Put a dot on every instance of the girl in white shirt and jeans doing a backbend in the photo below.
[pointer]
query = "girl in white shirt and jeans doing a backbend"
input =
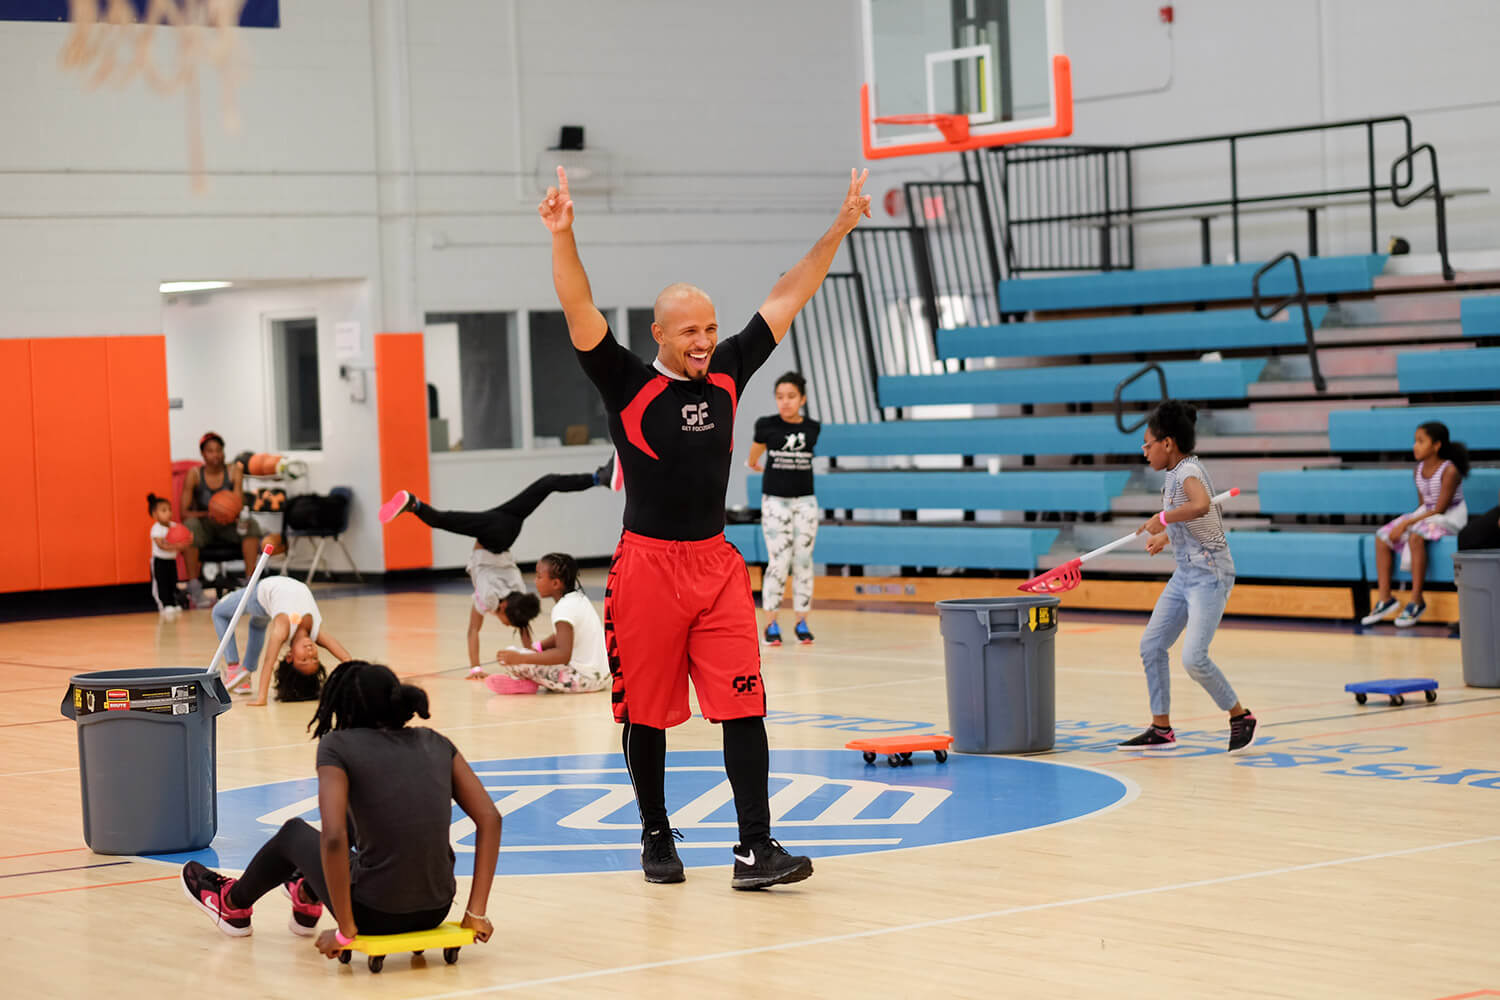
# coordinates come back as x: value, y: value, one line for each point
x: 284, y: 608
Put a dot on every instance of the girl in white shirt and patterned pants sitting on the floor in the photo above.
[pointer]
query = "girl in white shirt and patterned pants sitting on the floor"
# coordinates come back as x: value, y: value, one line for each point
x: 572, y: 659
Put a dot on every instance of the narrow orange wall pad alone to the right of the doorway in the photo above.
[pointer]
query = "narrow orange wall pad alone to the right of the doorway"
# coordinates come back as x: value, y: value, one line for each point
x: 401, y: 391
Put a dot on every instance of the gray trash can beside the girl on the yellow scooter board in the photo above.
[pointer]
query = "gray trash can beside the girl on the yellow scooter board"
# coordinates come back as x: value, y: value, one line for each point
x: 148, y: 758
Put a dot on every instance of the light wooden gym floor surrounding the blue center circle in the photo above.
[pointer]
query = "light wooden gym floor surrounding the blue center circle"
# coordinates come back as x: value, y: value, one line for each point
x: 1354, y: 854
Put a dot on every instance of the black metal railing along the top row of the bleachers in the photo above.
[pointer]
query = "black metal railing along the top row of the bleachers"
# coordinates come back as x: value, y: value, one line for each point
x: 1072, y: 208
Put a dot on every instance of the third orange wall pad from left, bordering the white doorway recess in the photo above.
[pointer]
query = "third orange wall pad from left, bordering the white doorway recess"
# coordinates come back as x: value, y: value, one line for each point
x: 140, y: 448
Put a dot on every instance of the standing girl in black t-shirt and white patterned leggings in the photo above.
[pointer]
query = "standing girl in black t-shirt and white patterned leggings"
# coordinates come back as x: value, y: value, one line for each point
x: 788, y: 506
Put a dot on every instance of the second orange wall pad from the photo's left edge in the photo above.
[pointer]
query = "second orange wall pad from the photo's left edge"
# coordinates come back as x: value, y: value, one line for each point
x: 74, y: 469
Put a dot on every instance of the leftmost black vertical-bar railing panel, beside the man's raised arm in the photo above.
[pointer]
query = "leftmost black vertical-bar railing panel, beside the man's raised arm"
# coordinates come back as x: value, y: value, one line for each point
x: 832, y: 347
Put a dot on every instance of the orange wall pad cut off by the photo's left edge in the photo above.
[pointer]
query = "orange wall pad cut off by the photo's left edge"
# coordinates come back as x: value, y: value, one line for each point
x: 22, y: 564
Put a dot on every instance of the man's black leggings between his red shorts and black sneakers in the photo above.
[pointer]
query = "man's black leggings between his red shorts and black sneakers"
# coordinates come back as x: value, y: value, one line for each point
x: 748, y: 764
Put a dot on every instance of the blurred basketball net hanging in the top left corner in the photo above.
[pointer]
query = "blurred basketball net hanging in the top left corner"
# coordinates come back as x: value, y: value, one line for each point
x: 118, y: 47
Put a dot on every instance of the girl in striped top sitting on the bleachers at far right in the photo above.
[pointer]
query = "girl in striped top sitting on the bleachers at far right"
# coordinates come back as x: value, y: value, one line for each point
x: 1441, y: 470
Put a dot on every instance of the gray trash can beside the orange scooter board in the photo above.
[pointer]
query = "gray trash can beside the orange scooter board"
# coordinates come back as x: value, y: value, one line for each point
x: 1000, y: 662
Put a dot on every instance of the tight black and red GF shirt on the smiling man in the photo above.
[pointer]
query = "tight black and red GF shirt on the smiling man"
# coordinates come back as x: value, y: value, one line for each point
x: 676, y: 436
